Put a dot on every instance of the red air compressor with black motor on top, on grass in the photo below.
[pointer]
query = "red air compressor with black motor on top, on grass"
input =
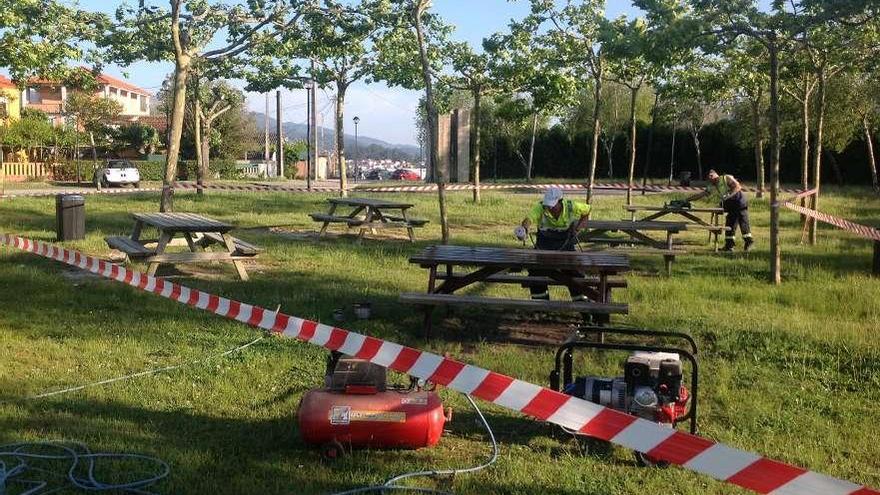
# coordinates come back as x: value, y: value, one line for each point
x: 356, y: 409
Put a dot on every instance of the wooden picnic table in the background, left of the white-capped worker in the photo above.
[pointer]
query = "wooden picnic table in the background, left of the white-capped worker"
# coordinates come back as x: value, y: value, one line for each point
x: 369, y: 214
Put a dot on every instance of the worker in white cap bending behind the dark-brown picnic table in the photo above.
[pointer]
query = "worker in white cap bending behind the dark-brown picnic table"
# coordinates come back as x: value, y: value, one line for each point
x: 558, y: 221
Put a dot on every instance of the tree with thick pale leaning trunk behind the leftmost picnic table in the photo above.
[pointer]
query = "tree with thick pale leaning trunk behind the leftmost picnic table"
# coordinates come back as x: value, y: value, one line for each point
x: 183, y: 33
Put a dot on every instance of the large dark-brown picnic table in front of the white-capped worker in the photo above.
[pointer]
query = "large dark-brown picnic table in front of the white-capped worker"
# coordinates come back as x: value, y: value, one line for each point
x: 587, y: 273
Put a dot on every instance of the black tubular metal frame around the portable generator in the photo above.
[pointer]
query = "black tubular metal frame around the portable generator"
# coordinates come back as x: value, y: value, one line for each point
x: 564, y: 361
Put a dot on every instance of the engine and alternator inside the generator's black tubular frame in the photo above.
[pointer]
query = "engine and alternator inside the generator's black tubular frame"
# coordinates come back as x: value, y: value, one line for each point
x: 650, y: 388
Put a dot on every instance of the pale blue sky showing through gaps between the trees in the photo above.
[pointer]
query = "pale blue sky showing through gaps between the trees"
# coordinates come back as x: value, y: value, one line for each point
x: 386, y: 113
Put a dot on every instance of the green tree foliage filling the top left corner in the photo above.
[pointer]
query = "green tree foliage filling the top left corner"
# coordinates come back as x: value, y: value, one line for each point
x: 41, y: 37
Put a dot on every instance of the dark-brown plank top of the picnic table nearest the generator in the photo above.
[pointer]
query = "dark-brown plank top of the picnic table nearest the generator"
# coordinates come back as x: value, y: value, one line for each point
x: 521, y: 258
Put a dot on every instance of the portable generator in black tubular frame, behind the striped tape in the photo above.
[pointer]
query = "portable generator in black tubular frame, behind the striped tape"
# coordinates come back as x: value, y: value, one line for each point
x: 652, y: 386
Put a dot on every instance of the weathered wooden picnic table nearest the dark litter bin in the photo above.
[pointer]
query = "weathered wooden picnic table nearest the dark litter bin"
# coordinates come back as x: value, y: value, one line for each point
x: 198, y: 231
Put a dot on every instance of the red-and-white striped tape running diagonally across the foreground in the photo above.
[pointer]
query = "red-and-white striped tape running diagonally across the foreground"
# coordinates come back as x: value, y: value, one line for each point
x: 719, y: 461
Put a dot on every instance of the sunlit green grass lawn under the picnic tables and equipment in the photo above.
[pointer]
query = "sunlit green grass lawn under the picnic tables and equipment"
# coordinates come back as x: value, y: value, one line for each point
x: 792, y: 372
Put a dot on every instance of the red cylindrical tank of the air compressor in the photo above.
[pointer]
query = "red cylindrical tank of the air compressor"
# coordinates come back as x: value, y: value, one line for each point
x: 390, y: 419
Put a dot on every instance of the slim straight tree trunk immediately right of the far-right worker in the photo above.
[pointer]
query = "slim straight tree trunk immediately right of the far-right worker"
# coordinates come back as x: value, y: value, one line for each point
x: 775, y: 147
